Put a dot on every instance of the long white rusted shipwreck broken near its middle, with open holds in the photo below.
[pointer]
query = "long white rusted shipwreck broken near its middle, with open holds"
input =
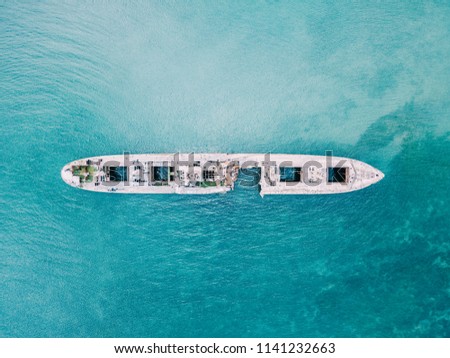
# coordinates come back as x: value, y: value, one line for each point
x: 208, y: 173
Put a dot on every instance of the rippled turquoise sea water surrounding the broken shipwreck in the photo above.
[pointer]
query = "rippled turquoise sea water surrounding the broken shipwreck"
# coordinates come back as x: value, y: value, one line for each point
x: 368, y: 81
